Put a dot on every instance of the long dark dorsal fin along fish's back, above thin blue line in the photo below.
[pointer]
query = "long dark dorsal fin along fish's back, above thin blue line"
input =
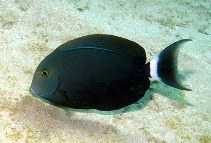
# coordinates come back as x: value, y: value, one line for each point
x: 120, y: 45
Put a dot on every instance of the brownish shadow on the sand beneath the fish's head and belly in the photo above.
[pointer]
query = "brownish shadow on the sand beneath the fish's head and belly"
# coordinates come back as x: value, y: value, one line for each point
x: 47, y: 120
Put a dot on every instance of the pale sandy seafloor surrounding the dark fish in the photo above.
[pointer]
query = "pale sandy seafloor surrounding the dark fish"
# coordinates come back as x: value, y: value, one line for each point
x: 31, y: 29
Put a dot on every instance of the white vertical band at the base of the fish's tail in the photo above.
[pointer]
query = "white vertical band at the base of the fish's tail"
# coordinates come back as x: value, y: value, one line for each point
x: 154, y: 68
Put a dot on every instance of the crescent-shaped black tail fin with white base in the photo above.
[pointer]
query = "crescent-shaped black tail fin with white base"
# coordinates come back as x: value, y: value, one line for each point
x: 164, y: 66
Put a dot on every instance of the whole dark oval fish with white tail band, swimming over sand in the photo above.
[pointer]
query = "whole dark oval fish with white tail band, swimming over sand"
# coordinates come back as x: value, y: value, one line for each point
x: 103, y: 72
